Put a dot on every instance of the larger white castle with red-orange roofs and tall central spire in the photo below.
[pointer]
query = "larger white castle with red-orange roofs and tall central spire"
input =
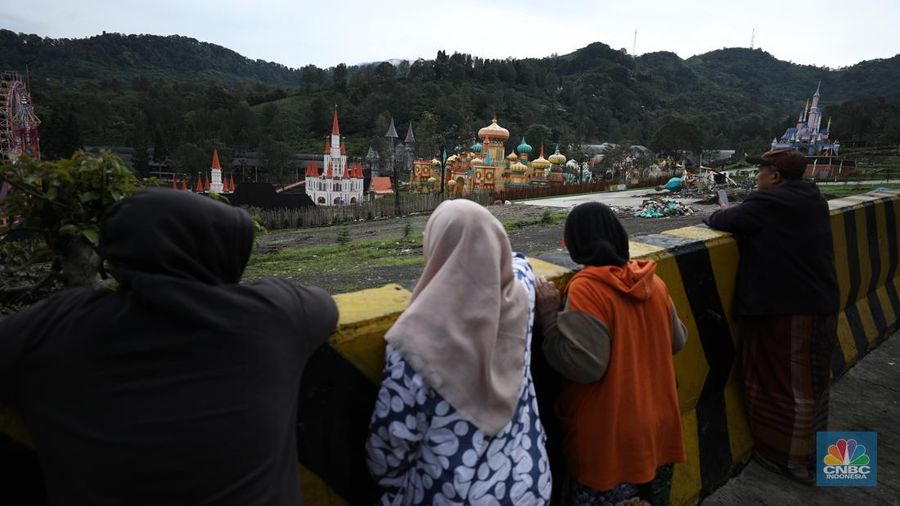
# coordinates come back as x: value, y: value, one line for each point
x: 339, y: 182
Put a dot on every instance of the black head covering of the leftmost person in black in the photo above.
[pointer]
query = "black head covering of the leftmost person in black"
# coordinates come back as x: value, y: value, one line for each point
x: 175, y: 234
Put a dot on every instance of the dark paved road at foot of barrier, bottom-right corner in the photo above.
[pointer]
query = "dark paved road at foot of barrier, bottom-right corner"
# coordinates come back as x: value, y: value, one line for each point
x: 866, y: 398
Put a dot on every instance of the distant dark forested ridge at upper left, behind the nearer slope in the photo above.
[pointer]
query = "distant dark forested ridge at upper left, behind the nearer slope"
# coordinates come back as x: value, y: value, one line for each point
x: 125, y: 57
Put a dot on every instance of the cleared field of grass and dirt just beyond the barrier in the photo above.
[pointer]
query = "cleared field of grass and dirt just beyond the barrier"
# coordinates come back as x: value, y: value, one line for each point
x: 368, y: 254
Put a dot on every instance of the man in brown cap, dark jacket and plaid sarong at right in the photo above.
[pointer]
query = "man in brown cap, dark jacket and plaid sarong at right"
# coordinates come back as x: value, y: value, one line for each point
x: 786, y: 301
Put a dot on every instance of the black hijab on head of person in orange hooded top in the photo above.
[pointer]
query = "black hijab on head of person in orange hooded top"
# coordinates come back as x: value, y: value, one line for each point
x: 595, y: 236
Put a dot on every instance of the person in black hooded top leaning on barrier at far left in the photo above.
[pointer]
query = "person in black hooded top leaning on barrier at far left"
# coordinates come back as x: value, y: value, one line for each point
x: 179, y: 387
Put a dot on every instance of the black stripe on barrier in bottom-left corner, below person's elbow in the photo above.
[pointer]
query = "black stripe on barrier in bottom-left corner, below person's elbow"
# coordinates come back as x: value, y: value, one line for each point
x: 21, y: 479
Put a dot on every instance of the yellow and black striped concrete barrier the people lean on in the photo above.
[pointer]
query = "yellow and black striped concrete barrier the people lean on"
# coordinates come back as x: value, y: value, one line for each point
x: 698, y: 265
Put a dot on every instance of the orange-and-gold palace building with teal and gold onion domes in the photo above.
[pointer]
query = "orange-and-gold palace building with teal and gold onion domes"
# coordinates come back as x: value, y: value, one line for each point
x: 486, y: 167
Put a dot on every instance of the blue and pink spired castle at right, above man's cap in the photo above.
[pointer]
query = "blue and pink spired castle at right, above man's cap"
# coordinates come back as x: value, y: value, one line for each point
x: 809, y: 138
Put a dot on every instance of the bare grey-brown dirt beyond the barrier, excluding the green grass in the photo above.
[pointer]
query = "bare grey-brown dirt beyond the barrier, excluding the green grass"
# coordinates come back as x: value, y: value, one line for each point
x: 526, y: 232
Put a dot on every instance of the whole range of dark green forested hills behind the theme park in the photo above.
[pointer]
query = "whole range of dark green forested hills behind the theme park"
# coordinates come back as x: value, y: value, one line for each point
x: 183, y: 98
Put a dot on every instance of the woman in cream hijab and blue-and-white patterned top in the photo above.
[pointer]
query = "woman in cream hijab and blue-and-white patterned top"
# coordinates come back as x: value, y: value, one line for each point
x: 456, y: 421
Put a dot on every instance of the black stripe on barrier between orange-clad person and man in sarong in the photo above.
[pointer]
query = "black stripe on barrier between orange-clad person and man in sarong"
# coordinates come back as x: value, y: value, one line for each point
x: 715, y: 337
